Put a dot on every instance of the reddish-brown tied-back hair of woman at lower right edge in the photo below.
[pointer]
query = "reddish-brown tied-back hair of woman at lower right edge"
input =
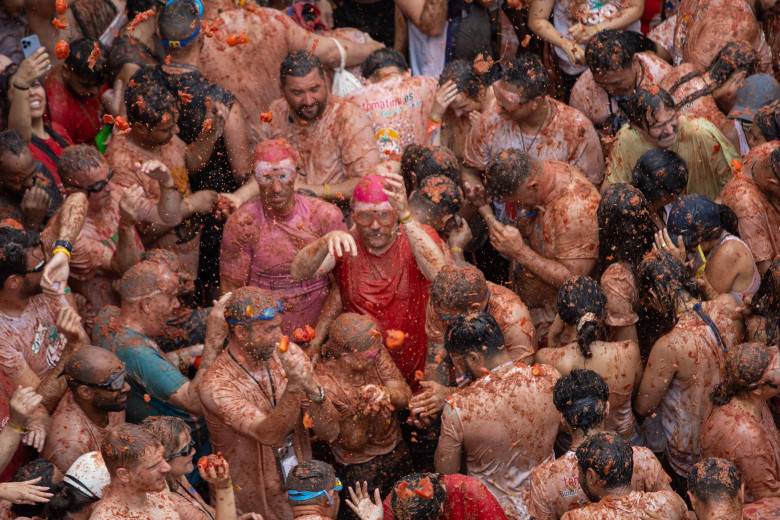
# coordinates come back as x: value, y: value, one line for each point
x: 745, y: 366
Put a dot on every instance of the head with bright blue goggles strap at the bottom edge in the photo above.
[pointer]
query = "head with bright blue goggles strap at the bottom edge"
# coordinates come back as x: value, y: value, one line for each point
x: 312, y: 489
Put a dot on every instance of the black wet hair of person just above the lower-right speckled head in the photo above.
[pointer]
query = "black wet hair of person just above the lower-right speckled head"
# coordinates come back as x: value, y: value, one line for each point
x: 581, y: 397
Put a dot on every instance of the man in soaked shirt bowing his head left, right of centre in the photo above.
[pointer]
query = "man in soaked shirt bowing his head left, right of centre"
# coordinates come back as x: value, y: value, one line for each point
x: 559, y: 243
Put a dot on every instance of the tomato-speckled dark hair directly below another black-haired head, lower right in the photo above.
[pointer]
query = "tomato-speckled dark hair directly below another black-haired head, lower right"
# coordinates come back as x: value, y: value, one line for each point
x: 610, y: 456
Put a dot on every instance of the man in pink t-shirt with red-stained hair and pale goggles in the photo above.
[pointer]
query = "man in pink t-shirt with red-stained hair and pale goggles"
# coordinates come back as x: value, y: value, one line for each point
x: 286, y: 221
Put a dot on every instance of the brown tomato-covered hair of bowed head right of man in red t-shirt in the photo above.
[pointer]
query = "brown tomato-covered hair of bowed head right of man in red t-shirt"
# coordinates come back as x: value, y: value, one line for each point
x: 458, y: 287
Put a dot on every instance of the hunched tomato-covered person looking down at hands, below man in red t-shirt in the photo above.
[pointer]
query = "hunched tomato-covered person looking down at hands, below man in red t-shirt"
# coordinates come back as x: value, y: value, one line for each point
x: 367, y: 390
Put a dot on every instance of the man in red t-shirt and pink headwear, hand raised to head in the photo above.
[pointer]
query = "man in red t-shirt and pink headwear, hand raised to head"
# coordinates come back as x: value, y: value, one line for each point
x: 383, y: 266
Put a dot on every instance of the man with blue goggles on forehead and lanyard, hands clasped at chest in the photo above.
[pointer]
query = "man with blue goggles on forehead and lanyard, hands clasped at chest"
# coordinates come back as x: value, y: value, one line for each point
x: 257, y: 398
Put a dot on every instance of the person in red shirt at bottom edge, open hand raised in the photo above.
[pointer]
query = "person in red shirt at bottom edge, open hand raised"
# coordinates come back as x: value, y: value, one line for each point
x: 430, y: 496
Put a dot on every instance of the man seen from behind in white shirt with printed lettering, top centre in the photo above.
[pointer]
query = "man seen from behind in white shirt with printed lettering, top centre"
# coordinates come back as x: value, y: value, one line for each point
x: 393, y: 99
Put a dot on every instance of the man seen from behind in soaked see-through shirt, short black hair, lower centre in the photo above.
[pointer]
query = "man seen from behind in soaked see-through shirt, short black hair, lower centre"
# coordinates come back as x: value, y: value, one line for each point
x: 507, y: 401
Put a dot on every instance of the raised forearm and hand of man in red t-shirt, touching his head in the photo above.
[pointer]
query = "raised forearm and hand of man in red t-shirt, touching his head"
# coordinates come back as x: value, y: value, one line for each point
x: 429, y: 256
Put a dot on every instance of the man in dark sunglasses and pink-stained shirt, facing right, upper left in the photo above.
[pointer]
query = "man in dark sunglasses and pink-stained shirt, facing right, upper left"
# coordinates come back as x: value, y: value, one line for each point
x: 108, y: 244
